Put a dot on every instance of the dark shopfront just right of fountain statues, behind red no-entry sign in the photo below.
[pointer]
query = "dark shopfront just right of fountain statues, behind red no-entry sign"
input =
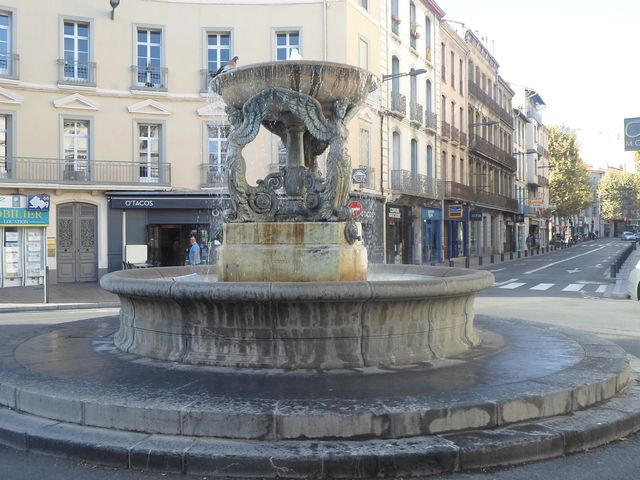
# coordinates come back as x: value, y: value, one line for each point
x: 369, y: 211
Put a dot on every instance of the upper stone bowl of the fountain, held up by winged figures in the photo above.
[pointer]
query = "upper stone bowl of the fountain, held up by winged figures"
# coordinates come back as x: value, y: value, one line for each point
x: 324, y: 81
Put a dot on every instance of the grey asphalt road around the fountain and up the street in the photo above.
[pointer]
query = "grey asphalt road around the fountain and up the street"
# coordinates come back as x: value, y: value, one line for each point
x: 617, y: 320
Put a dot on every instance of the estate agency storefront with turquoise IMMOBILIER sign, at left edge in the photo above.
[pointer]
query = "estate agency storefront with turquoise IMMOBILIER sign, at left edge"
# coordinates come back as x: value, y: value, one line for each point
x: 23, y: 223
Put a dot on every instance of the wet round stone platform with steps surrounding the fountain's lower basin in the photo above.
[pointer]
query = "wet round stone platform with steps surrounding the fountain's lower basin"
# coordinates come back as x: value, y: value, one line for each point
x: 530, y: 392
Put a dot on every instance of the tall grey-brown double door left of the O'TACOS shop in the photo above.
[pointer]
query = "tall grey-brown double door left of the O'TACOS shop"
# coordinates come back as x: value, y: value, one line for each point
x: 77, y: 252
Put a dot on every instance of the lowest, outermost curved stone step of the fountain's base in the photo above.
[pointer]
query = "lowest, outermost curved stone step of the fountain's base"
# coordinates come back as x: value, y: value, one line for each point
x: 429, y: 455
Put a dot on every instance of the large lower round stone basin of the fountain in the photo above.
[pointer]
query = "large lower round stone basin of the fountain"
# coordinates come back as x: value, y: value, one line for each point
x: 401, y: 315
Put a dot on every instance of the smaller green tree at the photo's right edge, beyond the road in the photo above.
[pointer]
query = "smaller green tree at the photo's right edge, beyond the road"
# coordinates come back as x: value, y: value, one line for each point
x: 618, y: 195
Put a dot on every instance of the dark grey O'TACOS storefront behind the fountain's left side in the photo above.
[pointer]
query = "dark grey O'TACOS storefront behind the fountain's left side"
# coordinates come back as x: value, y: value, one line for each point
x: 164, y: 222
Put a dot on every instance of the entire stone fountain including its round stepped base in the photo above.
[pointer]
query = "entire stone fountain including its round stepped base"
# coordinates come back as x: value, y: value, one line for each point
x: 293, y: 358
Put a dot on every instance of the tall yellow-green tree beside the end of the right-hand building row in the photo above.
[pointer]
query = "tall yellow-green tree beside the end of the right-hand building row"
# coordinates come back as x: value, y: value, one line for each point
x: 569, y: 186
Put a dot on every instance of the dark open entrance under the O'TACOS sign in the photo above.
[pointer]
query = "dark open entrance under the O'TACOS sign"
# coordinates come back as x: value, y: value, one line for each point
x: 169, y: 244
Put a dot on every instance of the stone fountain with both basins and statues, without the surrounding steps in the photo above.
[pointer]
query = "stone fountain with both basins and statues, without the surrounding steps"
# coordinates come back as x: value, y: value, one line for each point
x: 293, y: 289
